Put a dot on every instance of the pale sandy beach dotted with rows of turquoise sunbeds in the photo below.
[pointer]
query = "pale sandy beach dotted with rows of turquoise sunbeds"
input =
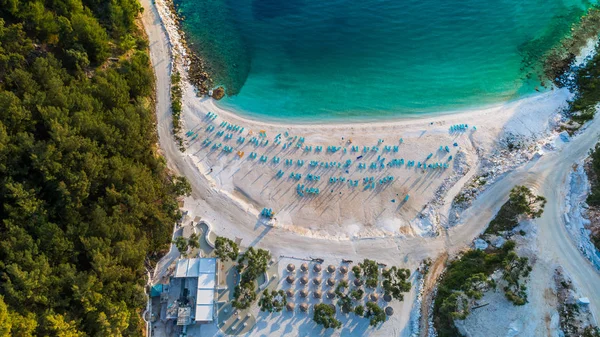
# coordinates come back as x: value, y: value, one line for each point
x: 339, y: 211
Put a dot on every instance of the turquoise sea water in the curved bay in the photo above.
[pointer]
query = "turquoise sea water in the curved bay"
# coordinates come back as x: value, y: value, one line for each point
x: 364, y: 59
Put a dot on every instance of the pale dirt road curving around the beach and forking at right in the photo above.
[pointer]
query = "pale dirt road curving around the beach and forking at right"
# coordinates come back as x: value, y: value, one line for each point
x: 547, y: 175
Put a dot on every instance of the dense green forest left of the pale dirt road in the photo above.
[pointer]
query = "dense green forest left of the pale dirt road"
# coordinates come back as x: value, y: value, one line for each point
x: 86, y: 202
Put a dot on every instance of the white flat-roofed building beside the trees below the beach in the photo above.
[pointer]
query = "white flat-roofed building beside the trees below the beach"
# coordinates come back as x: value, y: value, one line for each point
x: 202, y: 273
